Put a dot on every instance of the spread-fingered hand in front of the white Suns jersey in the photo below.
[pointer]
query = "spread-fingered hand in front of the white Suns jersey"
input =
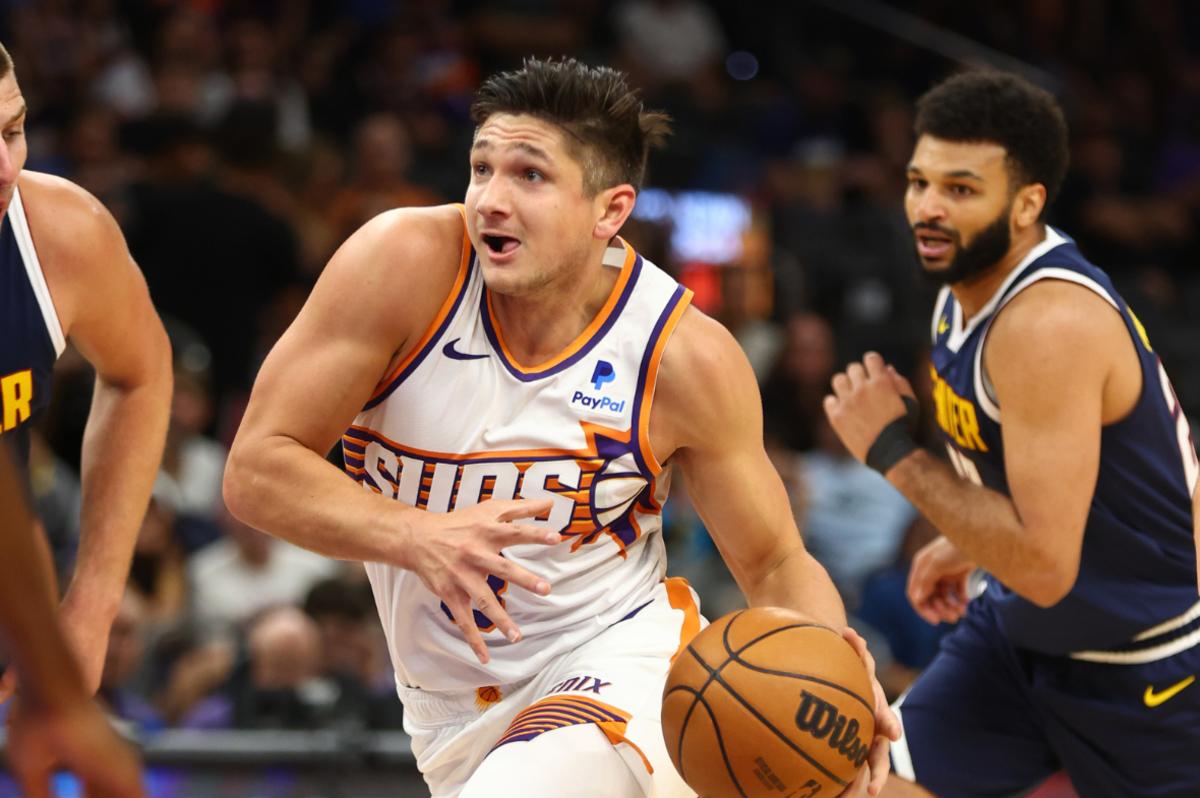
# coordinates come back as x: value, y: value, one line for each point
x: 455, y: 553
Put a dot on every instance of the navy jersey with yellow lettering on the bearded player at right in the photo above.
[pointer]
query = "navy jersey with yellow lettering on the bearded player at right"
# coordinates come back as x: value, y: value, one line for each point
x: 1137, y: 587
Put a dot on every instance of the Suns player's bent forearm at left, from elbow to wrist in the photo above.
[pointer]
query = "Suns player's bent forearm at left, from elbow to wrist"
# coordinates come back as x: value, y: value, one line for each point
x: 285, y: 489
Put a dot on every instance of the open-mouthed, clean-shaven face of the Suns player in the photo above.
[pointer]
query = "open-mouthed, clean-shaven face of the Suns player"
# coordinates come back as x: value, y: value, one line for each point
x: 527, y: 214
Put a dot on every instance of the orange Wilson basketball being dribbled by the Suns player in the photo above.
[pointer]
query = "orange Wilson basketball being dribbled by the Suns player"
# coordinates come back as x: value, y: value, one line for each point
x: 764, y: 703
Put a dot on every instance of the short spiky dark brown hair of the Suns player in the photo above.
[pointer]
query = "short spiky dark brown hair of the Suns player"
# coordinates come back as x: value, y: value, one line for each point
x: 609, y: 131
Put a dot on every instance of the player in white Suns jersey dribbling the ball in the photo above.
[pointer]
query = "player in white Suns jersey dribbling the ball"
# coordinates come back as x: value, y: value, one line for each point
x: 514, y: 387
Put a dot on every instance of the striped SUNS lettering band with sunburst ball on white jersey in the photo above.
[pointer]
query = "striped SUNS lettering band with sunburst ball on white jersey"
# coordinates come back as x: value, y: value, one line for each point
x: 596, y: 491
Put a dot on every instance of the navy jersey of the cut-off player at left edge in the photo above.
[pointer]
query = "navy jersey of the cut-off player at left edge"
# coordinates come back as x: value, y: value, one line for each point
x: 31, y: 335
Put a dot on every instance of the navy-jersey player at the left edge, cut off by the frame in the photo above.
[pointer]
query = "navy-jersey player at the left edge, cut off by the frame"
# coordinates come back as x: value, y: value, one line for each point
x: 65, y: 274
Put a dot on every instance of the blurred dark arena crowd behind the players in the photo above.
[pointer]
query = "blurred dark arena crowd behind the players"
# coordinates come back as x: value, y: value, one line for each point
x: 239, y: 143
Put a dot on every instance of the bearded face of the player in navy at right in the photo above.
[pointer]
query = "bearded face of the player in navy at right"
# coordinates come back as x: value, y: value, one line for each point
x: 959, y: 206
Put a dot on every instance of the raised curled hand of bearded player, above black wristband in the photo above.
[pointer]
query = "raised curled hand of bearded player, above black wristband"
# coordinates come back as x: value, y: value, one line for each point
x: 866, y: 399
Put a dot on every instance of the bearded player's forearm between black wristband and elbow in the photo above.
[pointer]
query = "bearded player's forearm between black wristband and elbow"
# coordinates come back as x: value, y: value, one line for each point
x: 983, y: 524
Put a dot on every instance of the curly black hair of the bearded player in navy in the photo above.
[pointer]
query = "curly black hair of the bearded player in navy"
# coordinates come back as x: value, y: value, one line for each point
x: 1006, y: 110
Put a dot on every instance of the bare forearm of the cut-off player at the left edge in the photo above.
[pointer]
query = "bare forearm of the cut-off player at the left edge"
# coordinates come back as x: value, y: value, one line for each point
x: 122, y: 452
